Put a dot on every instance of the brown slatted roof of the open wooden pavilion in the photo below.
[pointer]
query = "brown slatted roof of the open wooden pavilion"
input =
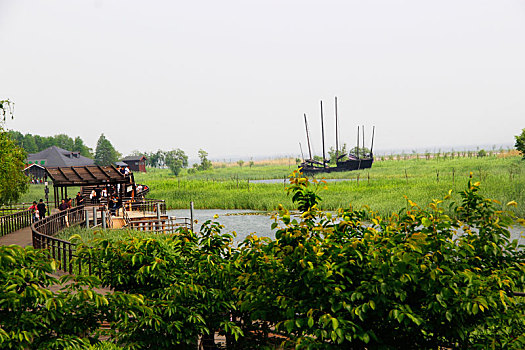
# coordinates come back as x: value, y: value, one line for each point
x: 86, y: 175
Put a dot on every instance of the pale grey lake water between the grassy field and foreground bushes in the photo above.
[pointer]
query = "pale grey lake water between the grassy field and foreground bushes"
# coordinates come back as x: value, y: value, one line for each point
x: 245, y: 222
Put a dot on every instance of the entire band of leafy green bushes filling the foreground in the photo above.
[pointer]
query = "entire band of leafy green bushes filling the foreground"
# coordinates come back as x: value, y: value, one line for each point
x: 418, y: 279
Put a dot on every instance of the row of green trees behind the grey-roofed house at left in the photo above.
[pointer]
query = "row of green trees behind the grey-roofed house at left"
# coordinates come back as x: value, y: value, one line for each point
x: 37, y: 143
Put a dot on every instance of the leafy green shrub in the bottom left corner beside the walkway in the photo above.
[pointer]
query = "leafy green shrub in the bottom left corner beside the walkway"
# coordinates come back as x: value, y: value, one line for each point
x: 32, y: 316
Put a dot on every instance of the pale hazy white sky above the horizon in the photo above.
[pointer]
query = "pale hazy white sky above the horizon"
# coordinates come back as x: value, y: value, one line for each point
x: 235, y: 77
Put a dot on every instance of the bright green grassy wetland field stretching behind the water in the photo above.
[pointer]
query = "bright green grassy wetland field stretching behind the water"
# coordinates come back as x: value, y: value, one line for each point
x: 382, y: 187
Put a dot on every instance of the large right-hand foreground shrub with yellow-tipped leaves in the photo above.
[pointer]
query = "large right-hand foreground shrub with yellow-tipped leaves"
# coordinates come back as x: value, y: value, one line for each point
x: 418, y: 279
